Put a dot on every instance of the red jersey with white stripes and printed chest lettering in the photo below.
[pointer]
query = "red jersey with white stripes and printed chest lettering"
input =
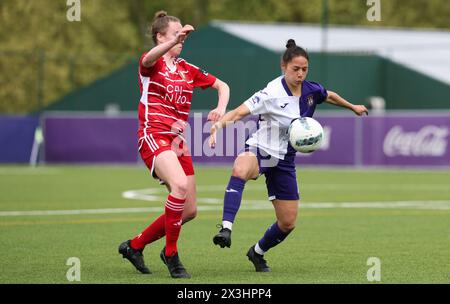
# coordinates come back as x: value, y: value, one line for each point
x: 166, y: 95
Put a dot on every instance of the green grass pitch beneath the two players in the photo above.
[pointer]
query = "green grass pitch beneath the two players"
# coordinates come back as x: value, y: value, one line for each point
x: 345, y: 217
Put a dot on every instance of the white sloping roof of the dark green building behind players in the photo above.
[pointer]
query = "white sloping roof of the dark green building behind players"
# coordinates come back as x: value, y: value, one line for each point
x: 426, y: 51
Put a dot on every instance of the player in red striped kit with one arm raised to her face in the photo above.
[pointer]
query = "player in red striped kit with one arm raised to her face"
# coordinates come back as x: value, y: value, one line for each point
x: 167, y: 83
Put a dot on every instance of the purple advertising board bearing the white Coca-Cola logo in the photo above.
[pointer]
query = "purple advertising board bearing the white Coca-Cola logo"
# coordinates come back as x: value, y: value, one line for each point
x: 406, y: 141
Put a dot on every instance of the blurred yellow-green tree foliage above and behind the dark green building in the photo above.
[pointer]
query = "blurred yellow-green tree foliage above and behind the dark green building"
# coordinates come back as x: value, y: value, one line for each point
x: 44, y: 56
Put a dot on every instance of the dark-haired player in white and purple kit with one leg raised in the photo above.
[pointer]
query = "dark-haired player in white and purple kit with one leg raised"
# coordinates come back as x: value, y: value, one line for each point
x: 268, y: 150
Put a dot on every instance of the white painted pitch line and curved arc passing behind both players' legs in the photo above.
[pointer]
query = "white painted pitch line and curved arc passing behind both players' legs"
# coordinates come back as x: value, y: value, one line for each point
x: 216, y: 204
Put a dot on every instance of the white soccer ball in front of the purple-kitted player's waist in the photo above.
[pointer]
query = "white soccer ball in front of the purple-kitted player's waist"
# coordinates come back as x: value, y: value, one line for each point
x: 305, y: 134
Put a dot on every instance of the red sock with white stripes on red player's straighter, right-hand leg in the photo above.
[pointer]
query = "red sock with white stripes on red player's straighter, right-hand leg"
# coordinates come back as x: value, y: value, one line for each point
x: 174, y: 211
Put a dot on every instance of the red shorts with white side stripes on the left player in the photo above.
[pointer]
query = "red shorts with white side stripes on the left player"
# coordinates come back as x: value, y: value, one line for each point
x: 152, y: 145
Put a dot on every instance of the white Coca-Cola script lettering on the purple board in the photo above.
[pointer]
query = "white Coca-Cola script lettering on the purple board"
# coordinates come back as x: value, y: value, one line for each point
x: 430, y: 140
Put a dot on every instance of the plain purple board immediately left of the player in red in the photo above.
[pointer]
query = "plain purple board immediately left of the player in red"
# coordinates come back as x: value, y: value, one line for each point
x: 90, y: 139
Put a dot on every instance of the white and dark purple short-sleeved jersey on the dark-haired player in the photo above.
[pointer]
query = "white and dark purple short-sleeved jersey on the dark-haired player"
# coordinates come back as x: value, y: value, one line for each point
x: 277, y: 107
